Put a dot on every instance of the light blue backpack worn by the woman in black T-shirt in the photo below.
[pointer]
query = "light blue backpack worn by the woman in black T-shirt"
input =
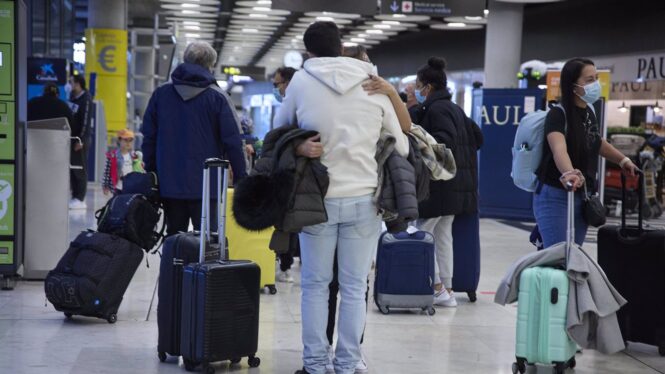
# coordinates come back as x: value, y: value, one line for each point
x: 528, y: 148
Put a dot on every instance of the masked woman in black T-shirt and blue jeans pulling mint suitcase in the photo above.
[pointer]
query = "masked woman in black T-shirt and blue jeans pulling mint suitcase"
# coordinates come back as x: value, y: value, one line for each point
x: 570, y: 154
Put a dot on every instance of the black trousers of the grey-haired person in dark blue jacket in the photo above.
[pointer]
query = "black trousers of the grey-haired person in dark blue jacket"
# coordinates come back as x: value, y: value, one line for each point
x: 179, y: 212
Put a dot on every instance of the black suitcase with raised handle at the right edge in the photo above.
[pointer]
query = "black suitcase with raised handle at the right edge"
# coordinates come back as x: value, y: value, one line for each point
x: 633, y: 257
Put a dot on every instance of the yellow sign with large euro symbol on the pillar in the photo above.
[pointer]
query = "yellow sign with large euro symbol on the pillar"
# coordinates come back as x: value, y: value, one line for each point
x: 106, y: 56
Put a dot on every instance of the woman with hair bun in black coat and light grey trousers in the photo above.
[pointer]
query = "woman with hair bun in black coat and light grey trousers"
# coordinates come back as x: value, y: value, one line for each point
x: 448, y: 124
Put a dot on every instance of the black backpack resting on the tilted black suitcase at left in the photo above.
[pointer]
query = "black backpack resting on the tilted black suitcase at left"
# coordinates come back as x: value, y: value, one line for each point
x: 132, y: 217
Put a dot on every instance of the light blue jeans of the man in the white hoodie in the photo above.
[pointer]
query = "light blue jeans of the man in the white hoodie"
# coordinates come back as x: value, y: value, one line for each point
x: 353, y: 228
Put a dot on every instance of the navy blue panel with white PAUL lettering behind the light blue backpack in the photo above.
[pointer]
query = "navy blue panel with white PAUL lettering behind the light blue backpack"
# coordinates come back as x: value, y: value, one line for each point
x: 498, y: 112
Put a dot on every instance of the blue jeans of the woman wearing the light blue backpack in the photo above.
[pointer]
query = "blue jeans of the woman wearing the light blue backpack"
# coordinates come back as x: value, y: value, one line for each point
x: 550, y: 207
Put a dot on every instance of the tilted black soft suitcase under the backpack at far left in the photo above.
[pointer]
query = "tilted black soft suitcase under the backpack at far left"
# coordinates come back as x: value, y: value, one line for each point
x: 93, y: 275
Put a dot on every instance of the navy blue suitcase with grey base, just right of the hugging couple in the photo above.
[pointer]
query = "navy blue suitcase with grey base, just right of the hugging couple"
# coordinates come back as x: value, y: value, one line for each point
x: 405, y: 272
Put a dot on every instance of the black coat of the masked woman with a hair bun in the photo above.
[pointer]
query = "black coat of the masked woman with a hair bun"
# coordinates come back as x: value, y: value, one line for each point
x: 448, y: 124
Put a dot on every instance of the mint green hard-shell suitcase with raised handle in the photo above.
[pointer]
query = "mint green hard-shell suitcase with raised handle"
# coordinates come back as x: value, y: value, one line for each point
x: 542, y: 312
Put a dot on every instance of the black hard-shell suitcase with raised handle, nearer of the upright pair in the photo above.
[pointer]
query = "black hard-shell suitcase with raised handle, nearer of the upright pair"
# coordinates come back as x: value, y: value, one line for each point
x: 220, y: 300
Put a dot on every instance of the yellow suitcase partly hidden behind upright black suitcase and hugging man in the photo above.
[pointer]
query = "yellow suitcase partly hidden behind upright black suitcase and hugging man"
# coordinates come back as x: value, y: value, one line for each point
x: 251, y: 245
